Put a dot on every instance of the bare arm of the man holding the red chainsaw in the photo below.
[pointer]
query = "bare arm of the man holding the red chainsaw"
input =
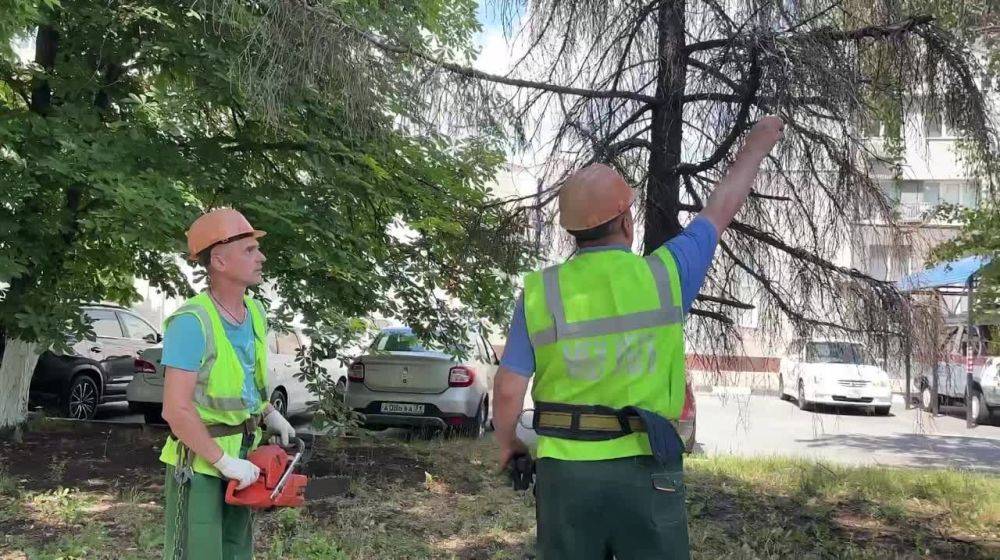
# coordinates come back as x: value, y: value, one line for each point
x: 181, y: 415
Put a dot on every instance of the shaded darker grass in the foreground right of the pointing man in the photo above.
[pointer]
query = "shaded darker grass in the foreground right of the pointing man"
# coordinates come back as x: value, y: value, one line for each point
x: 729, y: 514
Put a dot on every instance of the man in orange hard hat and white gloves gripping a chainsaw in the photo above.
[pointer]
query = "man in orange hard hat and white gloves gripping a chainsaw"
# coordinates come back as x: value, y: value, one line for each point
x: 215, y: 393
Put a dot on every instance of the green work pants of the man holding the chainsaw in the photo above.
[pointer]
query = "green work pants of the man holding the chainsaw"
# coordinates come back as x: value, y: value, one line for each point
x: 210, y: 529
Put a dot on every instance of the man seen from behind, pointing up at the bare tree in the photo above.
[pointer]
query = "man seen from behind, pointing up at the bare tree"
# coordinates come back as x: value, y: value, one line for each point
x: 602, y: 336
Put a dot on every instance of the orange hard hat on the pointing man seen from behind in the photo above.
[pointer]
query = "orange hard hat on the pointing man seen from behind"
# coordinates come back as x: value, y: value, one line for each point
x: 593, y: 196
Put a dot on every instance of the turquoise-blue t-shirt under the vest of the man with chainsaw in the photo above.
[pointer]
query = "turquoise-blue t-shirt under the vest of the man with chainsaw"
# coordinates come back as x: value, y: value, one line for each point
x: 184, y: 346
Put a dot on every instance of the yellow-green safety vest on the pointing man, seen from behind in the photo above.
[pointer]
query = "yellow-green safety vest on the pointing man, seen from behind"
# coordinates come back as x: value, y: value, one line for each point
x: 607, y: 329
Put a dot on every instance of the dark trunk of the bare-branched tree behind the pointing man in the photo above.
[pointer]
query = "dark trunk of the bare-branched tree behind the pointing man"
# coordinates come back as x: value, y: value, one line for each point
x: 663, y: 186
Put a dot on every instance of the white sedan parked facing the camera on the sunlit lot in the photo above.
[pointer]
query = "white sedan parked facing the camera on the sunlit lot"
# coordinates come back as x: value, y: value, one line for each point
x: 833, y: 372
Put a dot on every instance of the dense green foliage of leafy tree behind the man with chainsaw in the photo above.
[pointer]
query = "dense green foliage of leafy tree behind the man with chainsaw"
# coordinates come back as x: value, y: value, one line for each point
x: 129, y: 122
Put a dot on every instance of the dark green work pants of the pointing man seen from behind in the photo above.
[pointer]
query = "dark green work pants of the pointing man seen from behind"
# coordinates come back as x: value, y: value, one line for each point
x: 626, y: 509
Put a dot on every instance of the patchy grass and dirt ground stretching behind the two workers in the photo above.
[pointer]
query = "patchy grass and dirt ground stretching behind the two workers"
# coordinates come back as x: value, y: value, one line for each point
x: 444, y: 499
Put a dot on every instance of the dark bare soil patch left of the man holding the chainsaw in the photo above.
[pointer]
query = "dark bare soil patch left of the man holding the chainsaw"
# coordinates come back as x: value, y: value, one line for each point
x: 90, y: 456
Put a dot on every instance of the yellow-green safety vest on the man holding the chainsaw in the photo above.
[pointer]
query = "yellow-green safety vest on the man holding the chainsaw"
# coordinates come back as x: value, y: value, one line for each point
x: 218, y: 394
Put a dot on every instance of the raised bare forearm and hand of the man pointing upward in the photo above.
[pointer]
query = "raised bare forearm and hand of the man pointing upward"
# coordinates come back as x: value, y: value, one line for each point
x: 732, y: 191
